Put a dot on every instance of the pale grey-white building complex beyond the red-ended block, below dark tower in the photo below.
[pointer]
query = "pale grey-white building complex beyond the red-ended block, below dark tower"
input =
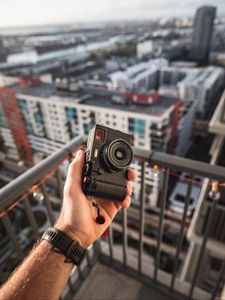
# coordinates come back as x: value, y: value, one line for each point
x: 201, y: 85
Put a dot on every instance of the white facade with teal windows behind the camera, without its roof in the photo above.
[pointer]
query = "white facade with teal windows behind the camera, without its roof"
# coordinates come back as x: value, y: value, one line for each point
x: 53, y: 121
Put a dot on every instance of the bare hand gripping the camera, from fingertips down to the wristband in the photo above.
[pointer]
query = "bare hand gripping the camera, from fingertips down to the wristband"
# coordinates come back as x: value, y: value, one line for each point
x: 77, y: 218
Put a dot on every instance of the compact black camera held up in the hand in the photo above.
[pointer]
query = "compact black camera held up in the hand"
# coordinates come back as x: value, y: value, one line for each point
x: 108, y: 156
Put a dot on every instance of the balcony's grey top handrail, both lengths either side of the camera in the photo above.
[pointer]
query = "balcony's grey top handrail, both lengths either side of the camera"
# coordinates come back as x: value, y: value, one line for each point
x: 22, y: 183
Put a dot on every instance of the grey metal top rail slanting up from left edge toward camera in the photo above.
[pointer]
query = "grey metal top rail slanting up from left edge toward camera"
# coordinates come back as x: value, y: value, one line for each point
x: 21, y: 184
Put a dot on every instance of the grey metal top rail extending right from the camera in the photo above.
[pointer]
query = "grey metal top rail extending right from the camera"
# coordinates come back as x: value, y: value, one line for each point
x: 182, y: 164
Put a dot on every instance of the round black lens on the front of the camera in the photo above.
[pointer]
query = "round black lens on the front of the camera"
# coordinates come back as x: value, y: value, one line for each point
x: 117, y: 155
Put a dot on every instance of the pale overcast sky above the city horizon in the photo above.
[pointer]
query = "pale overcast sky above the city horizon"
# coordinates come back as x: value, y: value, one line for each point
x: 41, y: 12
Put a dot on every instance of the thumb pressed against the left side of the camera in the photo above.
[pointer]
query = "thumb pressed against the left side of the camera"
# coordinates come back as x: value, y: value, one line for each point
x: 76, y: 168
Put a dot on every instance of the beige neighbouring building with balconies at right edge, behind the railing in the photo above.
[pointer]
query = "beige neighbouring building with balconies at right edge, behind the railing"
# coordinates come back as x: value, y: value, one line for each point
x: 214, y: 256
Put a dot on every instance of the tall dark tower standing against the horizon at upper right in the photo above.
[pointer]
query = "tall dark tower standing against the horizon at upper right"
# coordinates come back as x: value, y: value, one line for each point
x: 202, y: 32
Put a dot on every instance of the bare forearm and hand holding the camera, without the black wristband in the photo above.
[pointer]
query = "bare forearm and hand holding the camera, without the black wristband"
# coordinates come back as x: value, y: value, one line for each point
x: 44, y: 273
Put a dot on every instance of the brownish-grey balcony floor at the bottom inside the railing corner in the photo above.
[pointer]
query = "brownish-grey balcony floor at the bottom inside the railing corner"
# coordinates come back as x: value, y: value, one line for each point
x: 106, y: 283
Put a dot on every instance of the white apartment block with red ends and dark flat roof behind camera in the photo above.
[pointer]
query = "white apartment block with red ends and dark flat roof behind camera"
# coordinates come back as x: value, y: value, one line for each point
x: 51, y: 120
